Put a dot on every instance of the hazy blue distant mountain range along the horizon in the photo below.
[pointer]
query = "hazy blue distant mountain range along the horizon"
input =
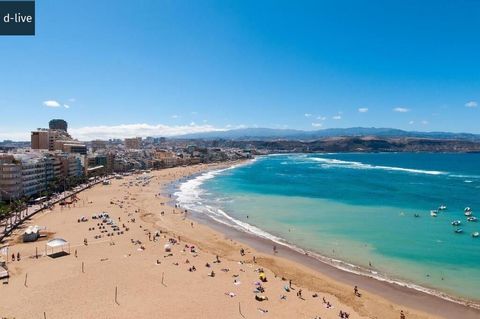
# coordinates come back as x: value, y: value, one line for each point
x: 288, y: 134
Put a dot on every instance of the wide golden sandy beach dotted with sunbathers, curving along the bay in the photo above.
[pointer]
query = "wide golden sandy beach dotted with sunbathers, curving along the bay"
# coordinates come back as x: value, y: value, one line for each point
x: 201, y: 273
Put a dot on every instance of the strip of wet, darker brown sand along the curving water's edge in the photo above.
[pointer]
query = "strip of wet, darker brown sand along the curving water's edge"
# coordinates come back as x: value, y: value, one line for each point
x: 412, y: 295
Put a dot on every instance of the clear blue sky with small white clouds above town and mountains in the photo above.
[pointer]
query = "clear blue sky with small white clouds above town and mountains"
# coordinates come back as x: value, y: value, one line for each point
x: 159, y: 67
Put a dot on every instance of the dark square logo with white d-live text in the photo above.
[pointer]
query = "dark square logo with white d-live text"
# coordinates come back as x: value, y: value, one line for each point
x: 17, y: 17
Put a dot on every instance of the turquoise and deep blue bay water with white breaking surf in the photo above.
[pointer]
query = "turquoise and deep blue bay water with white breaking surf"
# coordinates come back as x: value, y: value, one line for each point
x: 358, y: 208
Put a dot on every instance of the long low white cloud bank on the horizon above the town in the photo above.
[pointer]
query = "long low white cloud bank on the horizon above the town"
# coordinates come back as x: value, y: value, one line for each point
x: 143, y: 130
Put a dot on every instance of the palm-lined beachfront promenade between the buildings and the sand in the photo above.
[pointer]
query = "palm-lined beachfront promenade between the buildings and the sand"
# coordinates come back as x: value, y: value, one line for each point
x: 9, y: 224
